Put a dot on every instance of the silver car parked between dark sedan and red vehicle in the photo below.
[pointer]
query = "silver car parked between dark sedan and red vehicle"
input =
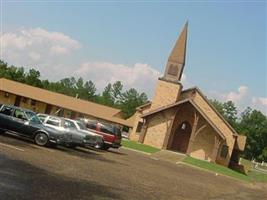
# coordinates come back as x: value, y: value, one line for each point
x: 76, y: 133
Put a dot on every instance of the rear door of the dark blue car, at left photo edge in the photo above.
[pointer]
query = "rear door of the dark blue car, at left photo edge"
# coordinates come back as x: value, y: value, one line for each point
x: 6, y: 119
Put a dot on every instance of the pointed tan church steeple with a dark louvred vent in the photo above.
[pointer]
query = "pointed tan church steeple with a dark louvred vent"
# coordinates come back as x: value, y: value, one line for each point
x: 176, y: 61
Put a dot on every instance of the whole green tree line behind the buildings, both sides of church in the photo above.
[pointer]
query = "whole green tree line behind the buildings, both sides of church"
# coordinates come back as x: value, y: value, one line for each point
x: 251, y: 123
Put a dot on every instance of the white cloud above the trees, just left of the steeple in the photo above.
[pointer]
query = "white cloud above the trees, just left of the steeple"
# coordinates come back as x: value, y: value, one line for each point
x: 140, y: 76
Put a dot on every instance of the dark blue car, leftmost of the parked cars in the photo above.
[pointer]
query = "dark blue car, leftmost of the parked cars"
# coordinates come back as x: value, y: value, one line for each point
x: 25, y: 123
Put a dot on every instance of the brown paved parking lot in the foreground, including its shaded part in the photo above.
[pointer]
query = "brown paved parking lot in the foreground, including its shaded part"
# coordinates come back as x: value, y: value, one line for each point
x: 31, y: 172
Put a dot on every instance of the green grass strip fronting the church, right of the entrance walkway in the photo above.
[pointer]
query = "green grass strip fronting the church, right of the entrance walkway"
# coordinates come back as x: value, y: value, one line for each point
x: 217, y: 168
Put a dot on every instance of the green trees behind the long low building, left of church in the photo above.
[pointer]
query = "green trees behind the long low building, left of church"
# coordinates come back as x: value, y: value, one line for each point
x: 113, y: 95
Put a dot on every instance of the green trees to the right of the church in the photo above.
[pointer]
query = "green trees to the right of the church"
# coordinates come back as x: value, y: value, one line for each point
x: 251, y: 123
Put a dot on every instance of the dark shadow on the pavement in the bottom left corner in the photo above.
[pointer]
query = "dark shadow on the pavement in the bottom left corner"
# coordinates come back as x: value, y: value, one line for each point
x: 20, y: 180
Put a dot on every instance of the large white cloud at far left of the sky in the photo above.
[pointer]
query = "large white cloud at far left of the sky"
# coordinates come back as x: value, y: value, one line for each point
x: 27, y: 46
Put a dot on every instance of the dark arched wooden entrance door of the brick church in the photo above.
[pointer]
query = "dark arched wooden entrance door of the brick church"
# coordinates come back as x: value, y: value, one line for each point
x: 181, y: 137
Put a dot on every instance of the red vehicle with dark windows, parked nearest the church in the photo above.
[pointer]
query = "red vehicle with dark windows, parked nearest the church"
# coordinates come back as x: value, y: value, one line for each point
x: 111, y: 133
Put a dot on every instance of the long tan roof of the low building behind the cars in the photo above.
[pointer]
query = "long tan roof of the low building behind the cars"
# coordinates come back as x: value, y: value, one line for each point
x: 63, y: 101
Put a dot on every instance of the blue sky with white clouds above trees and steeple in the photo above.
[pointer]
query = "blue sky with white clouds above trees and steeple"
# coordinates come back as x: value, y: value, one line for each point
x: 130, y: 41
